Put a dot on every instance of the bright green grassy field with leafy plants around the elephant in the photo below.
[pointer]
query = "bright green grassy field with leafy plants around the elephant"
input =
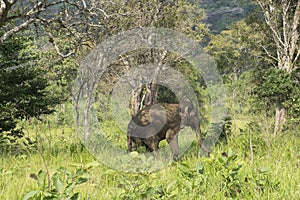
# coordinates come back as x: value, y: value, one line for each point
x: 57, y: 166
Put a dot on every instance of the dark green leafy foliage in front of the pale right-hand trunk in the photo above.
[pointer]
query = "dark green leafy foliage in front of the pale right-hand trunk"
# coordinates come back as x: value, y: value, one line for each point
x: 275, y: 86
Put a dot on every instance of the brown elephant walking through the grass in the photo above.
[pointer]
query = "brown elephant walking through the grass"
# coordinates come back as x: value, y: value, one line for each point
x: 155, y: 123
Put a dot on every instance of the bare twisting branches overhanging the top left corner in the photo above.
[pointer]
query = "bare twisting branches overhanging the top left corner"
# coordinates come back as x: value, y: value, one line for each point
x: 77, y: 19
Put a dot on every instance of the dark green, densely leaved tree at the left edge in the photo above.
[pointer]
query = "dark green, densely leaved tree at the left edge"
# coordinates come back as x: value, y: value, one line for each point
x: 22, y: 88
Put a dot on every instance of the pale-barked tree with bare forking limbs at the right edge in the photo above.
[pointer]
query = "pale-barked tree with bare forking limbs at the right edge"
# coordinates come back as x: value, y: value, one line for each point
x: 283, y: 20
